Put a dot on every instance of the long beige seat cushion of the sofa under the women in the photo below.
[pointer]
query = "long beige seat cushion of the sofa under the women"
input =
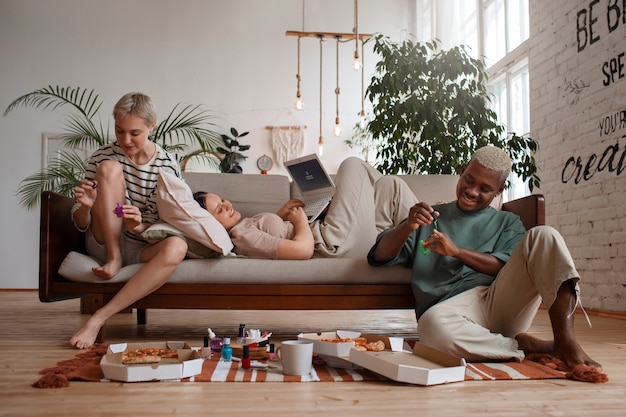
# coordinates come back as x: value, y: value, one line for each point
x: 235, y: 270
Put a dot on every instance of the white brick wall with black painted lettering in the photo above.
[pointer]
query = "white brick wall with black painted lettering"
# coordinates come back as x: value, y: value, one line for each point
x: 591, y: 214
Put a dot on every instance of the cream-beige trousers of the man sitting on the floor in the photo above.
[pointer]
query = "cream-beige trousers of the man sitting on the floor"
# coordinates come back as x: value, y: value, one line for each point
x: 481, y: 324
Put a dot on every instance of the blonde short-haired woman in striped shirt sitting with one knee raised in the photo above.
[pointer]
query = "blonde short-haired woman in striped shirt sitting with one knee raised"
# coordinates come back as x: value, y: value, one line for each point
x: 115, y: 203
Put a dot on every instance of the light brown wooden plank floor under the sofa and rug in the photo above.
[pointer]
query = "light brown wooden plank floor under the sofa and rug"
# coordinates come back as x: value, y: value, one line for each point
x: 34, y: 335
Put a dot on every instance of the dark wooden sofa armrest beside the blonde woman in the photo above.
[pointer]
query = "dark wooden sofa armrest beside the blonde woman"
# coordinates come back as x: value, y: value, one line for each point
x: 57, y: 237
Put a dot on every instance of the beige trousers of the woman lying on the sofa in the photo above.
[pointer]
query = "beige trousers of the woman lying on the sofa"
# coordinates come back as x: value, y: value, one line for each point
x: 366, y: 203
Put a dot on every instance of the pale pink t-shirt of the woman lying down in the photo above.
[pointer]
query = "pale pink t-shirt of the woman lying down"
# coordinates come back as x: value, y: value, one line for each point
x: 258, y: 236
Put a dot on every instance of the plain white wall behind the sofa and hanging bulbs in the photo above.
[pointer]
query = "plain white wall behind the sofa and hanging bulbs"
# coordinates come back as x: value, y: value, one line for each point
x: 232, y: 56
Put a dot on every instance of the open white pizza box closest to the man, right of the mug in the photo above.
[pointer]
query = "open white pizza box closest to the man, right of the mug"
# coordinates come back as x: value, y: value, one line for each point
x: 421, y: 366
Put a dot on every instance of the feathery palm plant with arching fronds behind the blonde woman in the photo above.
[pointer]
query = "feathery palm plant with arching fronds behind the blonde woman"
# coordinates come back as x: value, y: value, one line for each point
x: 185, y: 126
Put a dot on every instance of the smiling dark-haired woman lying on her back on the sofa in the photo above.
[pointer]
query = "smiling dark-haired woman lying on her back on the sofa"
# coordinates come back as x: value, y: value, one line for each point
x: 365, y: 203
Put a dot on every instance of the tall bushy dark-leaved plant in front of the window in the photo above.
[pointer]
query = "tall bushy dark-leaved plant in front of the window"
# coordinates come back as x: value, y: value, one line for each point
x: 431, y: 112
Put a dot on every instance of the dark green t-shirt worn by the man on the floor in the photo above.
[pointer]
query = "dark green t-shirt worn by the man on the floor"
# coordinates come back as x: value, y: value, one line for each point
x: 436, y: 277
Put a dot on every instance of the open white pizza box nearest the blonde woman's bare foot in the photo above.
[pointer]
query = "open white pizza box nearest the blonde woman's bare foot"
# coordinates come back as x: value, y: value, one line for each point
x: 188, y: 363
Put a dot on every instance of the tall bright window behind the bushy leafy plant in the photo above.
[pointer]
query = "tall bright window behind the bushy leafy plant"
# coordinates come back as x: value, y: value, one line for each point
x: 498, y: 31
